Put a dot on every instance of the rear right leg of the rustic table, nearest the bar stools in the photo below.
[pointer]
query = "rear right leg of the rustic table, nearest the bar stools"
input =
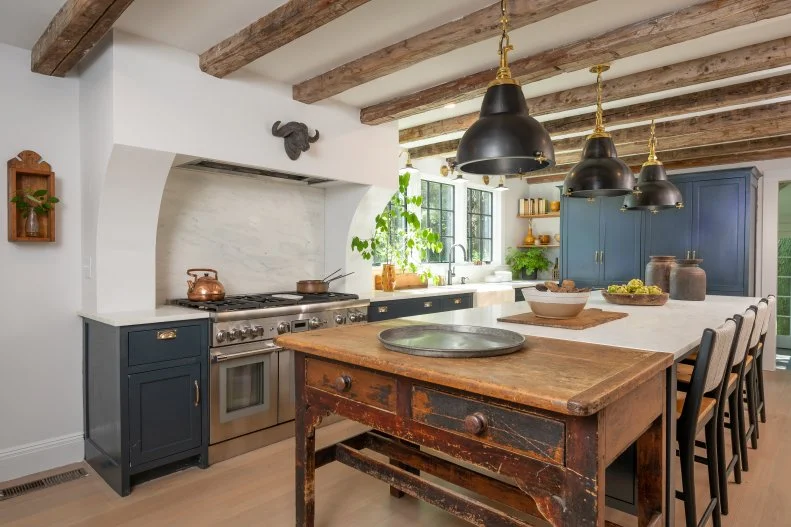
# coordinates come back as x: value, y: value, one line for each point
x: 650, y: 463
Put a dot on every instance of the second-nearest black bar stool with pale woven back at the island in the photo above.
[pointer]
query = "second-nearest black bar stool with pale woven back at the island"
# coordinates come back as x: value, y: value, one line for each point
x: 727, y: 392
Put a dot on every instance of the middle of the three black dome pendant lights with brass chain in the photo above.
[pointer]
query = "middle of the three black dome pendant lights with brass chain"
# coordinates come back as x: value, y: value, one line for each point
x: 600, y: 172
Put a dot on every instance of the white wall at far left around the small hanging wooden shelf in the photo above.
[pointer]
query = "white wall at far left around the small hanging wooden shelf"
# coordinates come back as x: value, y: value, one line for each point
x: 40, y: 345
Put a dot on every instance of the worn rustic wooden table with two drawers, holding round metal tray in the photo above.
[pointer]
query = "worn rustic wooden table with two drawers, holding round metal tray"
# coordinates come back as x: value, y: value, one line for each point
x: 542, y: 424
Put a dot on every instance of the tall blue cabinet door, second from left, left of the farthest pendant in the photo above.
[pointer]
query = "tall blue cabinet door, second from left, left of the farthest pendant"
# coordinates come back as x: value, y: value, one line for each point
x: 620, y: 256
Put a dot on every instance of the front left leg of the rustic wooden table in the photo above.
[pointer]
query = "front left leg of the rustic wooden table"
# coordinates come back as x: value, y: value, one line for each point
x: 305, y: 449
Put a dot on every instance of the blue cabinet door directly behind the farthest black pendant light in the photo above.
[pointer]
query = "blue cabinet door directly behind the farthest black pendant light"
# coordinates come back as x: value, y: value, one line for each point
x: 669, y: 231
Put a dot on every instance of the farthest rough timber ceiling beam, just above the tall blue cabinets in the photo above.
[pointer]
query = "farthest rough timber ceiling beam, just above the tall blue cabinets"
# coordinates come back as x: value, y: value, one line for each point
x: 739, y: 150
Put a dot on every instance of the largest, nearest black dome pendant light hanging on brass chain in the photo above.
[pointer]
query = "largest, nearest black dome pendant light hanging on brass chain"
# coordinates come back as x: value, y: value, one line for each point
x: 505, y: 140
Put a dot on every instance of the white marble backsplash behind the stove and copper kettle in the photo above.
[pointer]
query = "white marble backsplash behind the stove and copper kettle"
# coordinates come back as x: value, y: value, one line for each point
x: 260, y: 235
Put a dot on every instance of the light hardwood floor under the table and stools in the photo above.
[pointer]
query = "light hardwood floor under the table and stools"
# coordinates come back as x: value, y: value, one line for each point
x: 257, y: 489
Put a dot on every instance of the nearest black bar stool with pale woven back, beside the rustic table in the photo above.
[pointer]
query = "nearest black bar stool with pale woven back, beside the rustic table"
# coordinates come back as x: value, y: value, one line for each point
x: 697, y: 412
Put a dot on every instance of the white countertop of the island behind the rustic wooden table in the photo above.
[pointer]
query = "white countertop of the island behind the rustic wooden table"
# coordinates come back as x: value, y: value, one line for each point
x: 673, y: 328
